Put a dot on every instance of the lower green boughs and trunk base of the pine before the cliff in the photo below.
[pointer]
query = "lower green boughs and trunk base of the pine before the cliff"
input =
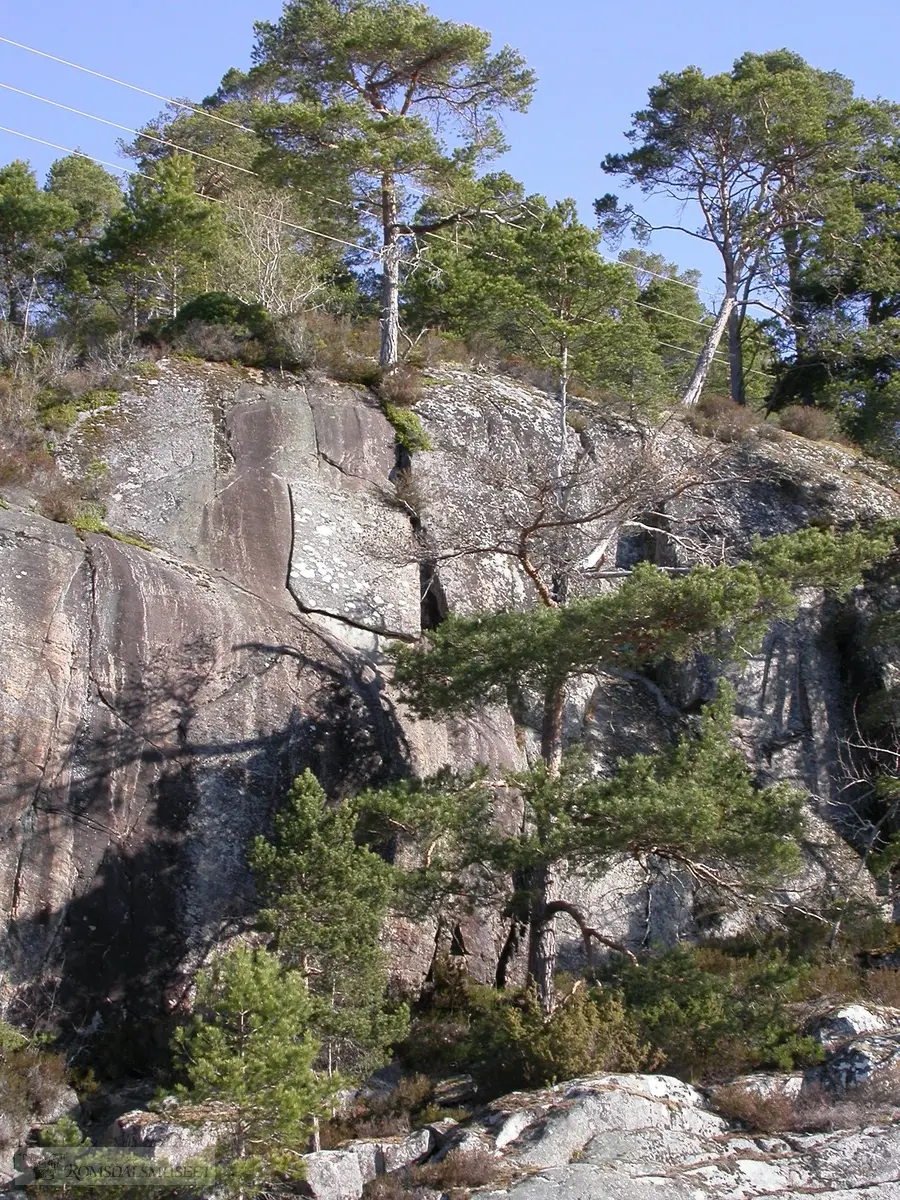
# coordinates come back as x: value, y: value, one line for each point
x: 693, y: 806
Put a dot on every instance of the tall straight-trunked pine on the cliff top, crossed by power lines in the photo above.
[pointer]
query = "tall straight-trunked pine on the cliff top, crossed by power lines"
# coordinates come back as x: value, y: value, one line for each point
x: 388, y: 98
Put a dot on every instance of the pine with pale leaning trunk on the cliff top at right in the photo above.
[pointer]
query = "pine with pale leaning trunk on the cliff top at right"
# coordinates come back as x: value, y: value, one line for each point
x: 760, y: 151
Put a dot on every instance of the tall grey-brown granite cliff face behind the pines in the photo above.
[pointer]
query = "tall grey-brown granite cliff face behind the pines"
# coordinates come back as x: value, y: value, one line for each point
x: 157, y: 703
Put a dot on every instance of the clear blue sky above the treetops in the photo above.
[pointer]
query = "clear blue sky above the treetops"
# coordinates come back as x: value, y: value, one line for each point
x: 595, y: 61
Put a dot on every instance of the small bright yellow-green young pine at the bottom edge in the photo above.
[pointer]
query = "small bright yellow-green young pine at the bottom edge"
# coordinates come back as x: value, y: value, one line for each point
x: 249, y: 1052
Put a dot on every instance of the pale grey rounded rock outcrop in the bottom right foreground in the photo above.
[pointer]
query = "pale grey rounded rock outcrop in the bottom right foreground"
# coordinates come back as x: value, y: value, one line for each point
x: 653, y: 1138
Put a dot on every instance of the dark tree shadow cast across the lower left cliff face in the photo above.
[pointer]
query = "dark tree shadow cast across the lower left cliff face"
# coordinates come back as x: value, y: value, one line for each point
x: 154, y: 813
